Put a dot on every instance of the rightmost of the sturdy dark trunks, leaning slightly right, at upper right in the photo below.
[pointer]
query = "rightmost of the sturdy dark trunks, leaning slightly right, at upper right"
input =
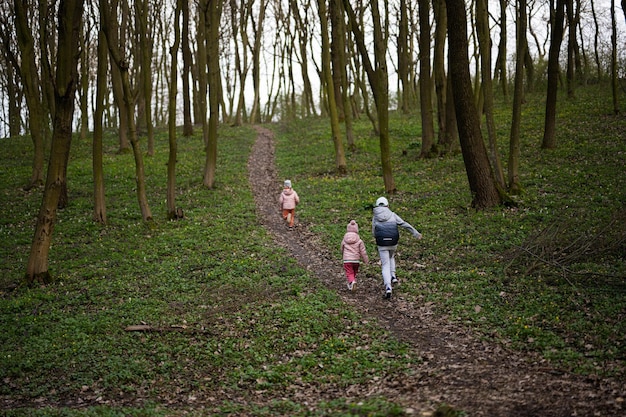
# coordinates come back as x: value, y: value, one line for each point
x: 549, y: 129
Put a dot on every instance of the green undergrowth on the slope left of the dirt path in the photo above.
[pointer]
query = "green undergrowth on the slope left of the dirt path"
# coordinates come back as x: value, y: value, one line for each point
x: 226, y: 313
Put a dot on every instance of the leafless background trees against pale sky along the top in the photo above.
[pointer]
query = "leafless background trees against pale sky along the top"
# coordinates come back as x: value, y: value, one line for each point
x: 270, y: 59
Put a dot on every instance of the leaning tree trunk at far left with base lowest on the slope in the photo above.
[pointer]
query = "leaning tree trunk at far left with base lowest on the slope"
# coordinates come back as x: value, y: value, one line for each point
x: 66, y: 80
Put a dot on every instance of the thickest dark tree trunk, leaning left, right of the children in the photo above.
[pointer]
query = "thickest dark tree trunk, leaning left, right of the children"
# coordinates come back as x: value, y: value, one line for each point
x: 480, y: 176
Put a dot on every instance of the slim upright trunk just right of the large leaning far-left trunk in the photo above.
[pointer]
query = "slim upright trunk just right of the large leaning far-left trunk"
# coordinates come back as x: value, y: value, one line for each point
x: 99, y: 208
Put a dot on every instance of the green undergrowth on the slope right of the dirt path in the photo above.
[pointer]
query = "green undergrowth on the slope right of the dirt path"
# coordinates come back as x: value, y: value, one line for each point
x: 547, y: 274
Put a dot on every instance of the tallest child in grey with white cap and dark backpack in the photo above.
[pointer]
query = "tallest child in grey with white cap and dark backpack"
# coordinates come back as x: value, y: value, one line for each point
x: 385, y: 229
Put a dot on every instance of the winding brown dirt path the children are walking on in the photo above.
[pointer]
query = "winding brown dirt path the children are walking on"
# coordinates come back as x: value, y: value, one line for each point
x: 481, y: 378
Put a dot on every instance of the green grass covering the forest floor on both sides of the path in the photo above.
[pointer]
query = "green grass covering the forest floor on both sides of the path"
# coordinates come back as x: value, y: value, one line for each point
x: 241, y: 319
